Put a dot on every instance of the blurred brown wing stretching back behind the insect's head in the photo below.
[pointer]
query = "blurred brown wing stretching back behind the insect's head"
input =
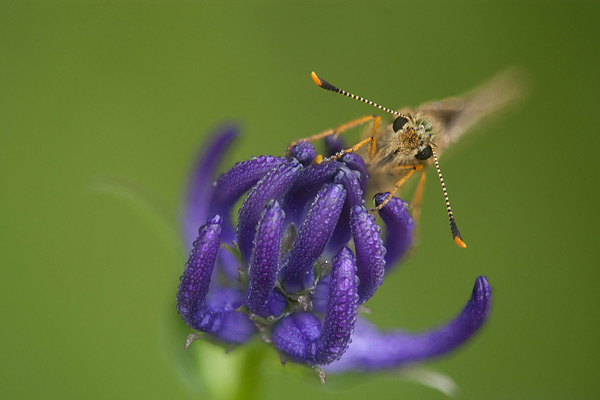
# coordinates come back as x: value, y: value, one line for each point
x: 453, y: 116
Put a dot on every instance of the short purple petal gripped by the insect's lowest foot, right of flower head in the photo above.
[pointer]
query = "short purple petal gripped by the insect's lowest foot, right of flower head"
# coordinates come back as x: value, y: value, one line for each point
x: 400, y: 228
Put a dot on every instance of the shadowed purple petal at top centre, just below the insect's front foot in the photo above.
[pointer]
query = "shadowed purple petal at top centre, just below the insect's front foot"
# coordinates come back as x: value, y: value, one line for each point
x: 305, y: 187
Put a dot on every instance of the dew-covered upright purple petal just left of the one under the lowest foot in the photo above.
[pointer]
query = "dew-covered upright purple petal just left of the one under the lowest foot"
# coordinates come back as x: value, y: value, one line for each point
x: 370, y: 253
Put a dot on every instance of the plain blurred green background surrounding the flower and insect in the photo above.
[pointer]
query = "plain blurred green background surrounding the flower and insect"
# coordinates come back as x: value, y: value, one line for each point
x: 101, y: 92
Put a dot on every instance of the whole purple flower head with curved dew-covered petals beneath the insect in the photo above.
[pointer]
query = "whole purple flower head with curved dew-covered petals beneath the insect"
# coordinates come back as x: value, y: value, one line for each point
x: 304, y: 255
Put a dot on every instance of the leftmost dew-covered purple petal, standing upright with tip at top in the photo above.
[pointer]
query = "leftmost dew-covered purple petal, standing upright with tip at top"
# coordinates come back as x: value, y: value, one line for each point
x: 195, y: 281
